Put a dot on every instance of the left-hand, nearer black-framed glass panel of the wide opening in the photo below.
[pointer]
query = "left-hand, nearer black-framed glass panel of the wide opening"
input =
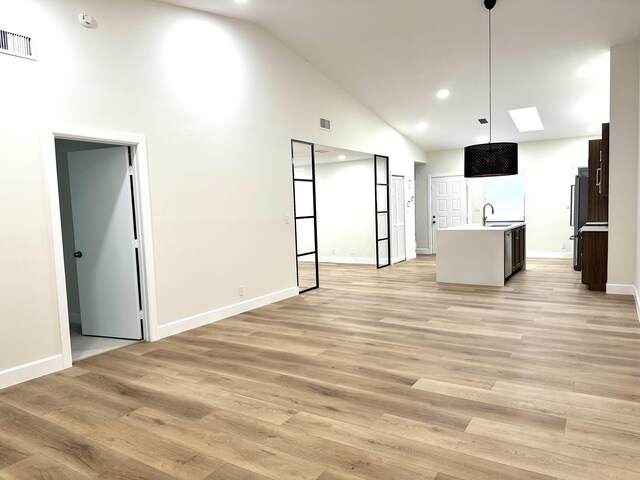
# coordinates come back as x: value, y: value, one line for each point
x: 304, y: 207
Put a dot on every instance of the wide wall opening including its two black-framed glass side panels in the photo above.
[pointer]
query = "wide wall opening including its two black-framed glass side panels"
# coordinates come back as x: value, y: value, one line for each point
x: 342, y: 209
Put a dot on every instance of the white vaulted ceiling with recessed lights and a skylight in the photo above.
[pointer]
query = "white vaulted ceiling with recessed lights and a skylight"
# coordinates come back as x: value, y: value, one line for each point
x: 394, y: 55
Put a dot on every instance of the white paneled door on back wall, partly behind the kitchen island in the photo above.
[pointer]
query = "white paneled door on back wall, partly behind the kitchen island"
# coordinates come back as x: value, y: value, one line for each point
x: 448, y: 204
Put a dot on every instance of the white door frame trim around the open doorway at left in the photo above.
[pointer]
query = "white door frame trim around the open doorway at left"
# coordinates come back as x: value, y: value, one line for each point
x: 142, y: 205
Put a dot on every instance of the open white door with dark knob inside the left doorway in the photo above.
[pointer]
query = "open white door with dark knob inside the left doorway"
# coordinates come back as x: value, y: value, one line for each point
x: 102, y: 210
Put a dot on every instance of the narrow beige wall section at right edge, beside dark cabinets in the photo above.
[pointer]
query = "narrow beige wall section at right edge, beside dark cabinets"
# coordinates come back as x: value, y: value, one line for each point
x: 623, y: 167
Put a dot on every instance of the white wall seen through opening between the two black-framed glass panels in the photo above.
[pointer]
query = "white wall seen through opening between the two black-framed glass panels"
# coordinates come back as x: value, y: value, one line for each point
x: 346, y: 212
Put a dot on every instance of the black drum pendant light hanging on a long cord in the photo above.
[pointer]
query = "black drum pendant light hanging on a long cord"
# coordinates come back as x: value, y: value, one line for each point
x: 490, y: 159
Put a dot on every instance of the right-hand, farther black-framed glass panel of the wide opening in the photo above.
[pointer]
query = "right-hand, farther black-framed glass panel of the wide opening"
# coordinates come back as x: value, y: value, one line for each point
x: 383, y: 227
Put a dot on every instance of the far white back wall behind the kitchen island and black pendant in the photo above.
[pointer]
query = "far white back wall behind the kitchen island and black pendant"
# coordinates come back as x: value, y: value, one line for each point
x: 549, y: 169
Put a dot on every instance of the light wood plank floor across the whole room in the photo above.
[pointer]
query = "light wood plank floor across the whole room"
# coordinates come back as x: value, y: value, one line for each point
x: 382, y: 375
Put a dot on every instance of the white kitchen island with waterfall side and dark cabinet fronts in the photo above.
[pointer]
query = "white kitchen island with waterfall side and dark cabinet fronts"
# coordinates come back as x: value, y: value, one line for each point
x: 479, y: 255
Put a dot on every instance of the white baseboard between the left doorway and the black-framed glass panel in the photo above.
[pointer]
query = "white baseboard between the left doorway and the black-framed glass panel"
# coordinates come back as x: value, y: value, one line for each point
x: 212, y: 316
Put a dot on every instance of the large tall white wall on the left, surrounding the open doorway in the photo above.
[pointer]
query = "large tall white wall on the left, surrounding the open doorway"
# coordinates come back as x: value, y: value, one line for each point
x: 218, y: 101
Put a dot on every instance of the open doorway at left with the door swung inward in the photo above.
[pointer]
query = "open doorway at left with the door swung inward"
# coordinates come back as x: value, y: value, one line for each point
x: 100, y: 240
